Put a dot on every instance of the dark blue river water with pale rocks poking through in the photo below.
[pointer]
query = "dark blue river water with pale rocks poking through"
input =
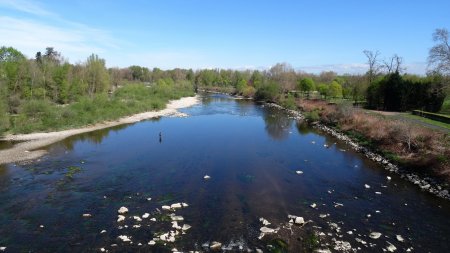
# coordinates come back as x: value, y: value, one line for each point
x: 252, y: 154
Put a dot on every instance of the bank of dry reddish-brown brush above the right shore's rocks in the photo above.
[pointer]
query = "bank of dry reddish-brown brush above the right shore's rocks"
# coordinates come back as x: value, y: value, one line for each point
x: 412, y: 146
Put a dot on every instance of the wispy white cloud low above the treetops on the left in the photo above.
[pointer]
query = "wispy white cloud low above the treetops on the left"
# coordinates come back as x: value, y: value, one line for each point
x: 44, y: 28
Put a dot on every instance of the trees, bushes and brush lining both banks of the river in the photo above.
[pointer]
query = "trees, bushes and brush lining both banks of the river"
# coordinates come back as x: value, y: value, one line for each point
x: 48, y: 93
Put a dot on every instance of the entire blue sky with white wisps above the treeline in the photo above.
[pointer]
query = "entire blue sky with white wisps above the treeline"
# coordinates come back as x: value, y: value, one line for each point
x: 312, y: 36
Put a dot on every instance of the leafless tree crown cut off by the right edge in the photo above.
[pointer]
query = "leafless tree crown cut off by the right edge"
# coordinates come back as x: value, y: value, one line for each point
x: 439, y: 55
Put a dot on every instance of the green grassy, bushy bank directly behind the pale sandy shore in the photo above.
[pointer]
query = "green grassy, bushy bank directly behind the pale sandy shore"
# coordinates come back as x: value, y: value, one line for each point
x: 44, y: 115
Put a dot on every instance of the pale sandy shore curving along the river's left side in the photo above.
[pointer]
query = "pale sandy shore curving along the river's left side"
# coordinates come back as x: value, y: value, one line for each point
x: 29, y: 148
